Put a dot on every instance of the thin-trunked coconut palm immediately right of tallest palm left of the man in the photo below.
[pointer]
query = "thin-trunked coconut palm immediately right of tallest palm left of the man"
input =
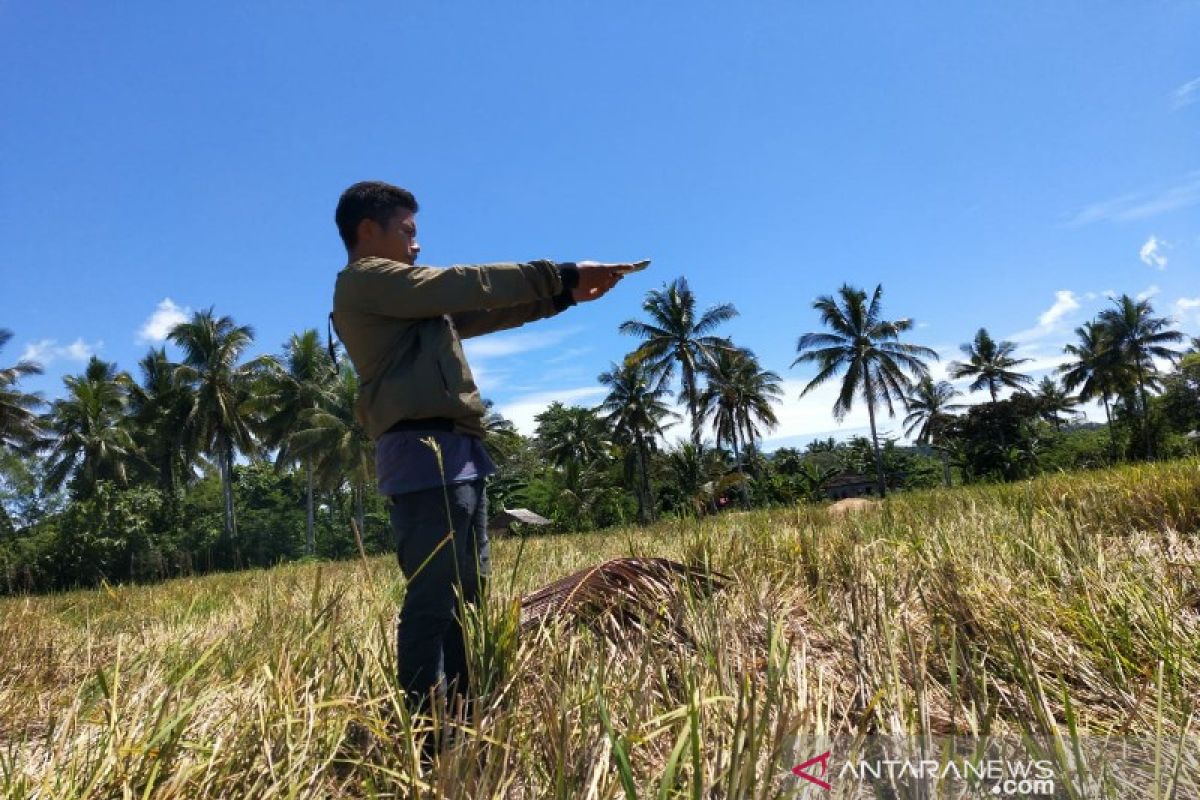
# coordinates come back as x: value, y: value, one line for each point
x: 289, y: 389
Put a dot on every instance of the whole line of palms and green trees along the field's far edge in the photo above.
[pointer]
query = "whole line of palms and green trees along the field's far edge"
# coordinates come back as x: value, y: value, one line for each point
x: 219, y: 461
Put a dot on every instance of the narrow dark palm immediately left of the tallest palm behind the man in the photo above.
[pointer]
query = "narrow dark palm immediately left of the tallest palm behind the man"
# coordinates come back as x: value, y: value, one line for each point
x: 159, y: 408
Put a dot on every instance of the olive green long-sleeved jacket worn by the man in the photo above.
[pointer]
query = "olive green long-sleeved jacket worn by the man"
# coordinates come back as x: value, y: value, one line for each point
x: 403, y: 328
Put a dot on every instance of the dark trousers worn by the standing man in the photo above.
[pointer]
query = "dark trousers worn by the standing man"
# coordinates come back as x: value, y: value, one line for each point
x: 440, y: 549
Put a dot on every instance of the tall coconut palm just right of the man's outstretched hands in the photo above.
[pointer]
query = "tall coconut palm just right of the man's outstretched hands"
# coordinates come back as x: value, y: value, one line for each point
x: 675, y: 338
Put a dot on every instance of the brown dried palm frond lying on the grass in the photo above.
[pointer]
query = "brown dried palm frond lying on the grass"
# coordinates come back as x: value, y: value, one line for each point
x: 622, y: 596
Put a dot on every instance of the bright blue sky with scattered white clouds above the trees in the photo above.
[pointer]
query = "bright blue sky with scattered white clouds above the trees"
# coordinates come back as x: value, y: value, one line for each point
x: 997, y: 165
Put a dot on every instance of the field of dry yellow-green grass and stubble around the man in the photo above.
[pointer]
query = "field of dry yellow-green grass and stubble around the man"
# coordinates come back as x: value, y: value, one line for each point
x: 1065, y: 607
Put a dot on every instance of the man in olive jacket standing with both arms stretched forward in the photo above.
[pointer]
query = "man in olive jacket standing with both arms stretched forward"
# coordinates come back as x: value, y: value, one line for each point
x: 403, y: 328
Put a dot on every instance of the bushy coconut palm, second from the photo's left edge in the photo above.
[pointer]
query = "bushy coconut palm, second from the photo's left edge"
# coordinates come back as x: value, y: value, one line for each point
x: 93, y: 441
